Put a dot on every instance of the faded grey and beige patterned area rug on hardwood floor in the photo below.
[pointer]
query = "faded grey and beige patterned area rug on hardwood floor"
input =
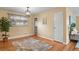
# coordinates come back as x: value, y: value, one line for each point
x: 31, y: 45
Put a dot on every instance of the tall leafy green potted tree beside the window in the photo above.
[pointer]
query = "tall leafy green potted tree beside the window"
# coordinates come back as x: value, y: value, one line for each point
x: 4, y: 27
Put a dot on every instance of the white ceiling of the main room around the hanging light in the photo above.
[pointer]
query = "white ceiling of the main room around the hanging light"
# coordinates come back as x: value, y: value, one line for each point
x: 22, y: 9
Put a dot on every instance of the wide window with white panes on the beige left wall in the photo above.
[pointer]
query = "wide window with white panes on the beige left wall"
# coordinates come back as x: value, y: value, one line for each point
x: 18, y: 20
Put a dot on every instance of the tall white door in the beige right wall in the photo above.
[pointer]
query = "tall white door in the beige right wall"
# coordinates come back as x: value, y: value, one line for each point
x: 58, y: 26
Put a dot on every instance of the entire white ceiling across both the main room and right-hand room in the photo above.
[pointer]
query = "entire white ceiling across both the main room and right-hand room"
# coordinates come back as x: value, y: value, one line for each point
x: 34, y: 10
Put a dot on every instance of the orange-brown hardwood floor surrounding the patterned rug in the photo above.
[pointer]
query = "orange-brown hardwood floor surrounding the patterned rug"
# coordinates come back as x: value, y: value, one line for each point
x: 7, y: 46
